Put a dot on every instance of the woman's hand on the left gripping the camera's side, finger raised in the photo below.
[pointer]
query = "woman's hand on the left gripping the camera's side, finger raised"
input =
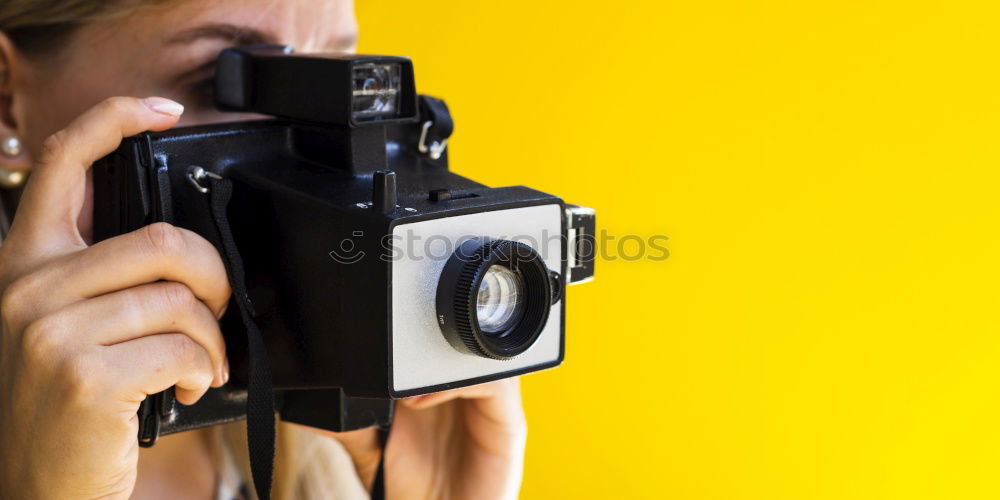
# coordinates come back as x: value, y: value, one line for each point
x: 89, y: 331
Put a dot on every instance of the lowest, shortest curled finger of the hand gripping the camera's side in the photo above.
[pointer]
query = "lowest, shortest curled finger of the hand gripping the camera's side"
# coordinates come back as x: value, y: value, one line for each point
x: 155, y: 363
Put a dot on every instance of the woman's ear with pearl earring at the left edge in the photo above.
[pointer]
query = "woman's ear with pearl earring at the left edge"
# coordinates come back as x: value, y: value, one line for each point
x: 12, y: 71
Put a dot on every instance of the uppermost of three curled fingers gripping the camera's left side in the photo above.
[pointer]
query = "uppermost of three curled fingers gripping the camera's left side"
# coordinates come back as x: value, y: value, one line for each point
x: 156, y: 252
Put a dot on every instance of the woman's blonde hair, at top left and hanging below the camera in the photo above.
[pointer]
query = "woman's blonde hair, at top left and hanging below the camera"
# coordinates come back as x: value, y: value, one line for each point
x: 307, y: 465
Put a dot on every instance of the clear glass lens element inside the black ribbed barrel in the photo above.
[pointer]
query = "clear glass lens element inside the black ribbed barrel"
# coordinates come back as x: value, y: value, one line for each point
x: 500, y: 301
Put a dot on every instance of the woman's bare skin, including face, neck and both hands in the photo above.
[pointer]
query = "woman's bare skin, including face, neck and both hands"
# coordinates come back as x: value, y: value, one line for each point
x: 90, y: 329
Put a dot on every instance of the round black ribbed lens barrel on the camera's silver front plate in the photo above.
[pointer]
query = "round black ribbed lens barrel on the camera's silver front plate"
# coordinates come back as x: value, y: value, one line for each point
x: 494, y: 297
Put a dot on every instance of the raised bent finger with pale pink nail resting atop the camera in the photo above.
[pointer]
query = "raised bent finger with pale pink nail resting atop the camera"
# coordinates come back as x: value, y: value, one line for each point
x: 55, y: 193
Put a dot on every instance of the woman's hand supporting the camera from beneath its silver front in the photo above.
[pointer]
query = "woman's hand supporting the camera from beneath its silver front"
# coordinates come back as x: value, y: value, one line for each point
x: 464, y: 443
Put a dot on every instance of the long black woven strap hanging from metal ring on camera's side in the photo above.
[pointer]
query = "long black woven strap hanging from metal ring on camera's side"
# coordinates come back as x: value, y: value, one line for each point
x: 260, y: 388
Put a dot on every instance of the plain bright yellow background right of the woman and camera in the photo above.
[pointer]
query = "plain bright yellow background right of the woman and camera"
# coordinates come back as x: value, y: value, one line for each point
x: 827, y: 171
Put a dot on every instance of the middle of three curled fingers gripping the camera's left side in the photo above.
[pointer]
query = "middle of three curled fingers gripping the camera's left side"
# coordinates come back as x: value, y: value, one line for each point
x: 156, y: 308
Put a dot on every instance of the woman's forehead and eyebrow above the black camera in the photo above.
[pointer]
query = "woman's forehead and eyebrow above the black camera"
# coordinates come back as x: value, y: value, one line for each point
x: 131, y: 53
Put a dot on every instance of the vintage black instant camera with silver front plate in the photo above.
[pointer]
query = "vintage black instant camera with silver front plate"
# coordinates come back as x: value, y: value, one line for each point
x: 374, y: 272
